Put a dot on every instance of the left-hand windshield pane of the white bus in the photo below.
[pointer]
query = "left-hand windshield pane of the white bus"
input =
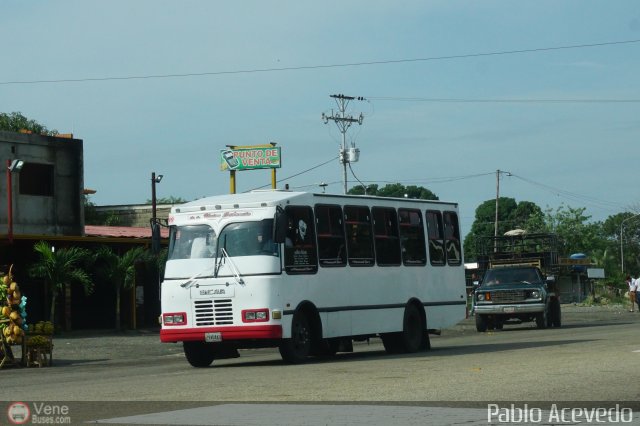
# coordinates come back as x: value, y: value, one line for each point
x: 192, y: 242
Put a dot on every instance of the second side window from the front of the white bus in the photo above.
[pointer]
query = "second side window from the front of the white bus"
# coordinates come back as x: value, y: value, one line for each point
x: 330, y: 230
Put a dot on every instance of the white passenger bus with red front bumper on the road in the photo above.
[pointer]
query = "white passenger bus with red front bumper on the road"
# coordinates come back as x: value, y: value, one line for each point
x: 309, y: 273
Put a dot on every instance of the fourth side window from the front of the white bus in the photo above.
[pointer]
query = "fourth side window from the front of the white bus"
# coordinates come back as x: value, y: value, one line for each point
x: 387, y: 239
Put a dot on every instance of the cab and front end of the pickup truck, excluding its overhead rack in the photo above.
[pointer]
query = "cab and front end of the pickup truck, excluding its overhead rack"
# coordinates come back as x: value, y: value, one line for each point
x: 515, y: 294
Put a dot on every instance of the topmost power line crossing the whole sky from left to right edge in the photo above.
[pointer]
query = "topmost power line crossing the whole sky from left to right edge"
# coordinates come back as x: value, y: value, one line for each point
x: 314, y: 67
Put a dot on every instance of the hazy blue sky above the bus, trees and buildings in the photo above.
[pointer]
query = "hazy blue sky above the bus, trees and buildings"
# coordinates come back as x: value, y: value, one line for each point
x: 454, y: 90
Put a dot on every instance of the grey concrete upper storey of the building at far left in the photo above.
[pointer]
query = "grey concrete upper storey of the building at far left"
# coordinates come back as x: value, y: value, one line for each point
x: 59, y: 209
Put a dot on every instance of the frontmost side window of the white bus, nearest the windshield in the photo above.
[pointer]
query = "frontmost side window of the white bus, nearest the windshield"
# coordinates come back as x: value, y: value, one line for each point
x: 300, y: 255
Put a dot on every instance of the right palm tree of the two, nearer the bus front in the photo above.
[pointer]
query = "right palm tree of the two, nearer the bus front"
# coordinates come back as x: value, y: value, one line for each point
x: 119, y: 270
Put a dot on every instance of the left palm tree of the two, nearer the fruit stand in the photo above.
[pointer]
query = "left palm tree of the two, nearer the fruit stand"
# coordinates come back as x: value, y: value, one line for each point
x: 59, y: 268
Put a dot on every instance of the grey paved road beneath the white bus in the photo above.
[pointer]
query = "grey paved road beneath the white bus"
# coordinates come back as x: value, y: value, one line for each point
x: 586, y: 363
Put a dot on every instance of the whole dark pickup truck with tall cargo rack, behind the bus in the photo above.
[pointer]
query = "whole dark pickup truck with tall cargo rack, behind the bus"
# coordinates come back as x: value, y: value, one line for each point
x: 518, y: 283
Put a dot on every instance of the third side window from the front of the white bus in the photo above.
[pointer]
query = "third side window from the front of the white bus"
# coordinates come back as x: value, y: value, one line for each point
x: 357, y: 220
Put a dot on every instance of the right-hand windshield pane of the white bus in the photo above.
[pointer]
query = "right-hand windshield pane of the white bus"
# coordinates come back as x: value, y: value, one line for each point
x: 249, y: 239
